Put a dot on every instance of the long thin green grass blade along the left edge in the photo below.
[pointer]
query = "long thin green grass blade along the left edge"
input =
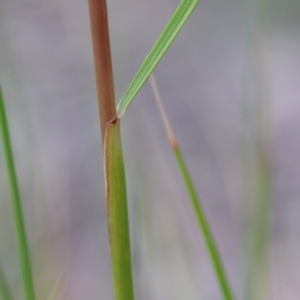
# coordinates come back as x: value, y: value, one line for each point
x: 17, y: 205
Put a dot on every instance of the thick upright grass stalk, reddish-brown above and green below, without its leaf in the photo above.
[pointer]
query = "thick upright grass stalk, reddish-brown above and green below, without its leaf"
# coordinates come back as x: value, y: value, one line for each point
x: 118, y: 223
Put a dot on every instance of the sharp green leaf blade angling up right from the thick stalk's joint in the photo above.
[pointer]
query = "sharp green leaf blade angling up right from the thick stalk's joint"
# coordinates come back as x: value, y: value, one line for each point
x: 163, y: 43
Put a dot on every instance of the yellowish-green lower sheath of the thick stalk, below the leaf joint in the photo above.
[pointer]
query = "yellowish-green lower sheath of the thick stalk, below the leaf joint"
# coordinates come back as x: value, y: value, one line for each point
x: 118, y: 223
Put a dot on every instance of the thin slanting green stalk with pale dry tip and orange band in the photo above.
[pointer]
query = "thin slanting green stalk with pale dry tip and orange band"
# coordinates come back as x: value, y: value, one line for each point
x: 195, y: 201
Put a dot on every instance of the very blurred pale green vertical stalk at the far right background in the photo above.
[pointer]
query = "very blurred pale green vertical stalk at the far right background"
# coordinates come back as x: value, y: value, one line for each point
x: 261, y: 45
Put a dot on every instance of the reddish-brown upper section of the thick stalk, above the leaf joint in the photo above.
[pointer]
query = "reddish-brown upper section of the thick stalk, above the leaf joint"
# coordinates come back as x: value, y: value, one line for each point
x: 103, y: 63
